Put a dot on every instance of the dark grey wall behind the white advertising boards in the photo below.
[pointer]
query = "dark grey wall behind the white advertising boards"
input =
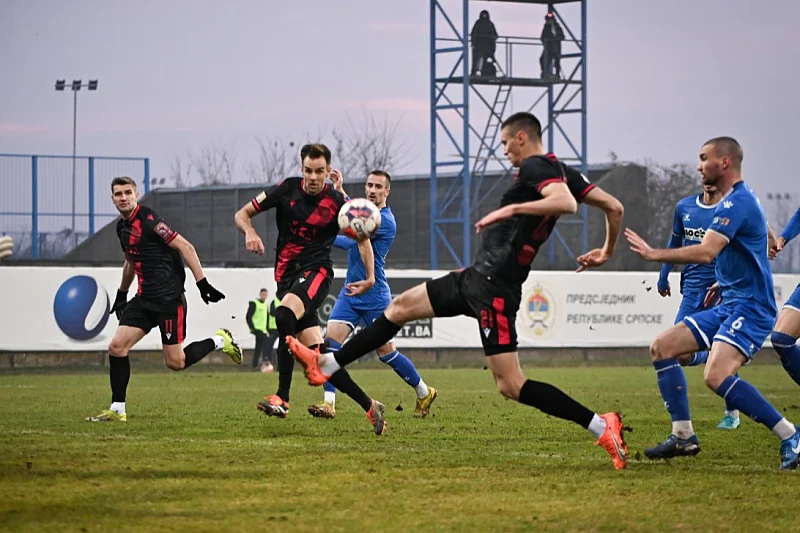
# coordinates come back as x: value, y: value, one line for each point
x: 205, y: 217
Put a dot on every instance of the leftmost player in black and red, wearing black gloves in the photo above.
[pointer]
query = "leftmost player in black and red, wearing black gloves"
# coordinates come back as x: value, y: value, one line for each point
x: 153, y: 254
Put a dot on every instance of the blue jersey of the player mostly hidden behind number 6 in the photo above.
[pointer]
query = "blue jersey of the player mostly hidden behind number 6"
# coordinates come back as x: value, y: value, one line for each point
x: 692, y: 219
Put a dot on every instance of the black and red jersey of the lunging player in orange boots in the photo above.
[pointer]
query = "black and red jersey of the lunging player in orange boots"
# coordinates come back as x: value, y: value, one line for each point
x: 509, y: 246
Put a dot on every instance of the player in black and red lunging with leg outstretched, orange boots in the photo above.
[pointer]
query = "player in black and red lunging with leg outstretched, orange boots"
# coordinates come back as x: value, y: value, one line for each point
x: 490, y: 289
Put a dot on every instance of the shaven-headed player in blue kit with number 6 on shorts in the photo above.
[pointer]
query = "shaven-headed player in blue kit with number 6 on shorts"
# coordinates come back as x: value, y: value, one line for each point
x: 739, y: 325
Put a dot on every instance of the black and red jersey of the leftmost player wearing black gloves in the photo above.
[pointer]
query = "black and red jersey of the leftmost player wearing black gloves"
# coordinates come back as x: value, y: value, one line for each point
x: 144, y: 238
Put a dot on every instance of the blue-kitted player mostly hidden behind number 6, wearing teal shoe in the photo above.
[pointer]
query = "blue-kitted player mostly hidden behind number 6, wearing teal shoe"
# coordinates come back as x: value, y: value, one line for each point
x: 693, y: 215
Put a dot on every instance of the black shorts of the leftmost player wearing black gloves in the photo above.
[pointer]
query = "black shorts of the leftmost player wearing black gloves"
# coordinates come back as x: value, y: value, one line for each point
x: 170, y: 318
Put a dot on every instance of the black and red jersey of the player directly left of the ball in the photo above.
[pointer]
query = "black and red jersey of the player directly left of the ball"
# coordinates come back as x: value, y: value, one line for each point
x: 307, y: 226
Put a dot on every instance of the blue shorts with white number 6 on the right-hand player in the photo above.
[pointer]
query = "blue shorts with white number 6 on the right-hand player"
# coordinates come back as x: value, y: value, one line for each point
x: 743, y: 324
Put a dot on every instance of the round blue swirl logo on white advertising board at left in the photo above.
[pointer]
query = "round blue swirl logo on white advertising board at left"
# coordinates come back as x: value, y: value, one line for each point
x: 81, y: 308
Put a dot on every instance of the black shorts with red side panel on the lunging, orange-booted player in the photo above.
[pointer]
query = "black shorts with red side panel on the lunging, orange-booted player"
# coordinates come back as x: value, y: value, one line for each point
x: 469, y: 293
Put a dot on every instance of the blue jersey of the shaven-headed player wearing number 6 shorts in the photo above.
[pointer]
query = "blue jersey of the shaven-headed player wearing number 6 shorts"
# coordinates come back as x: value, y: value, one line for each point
x: 743, y: 269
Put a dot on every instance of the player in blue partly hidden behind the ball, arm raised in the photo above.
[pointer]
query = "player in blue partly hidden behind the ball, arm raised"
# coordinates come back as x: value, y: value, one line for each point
x: 352, y: 310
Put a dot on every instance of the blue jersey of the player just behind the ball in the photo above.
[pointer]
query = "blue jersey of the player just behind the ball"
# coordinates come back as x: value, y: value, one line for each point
x: 381, y: 242
